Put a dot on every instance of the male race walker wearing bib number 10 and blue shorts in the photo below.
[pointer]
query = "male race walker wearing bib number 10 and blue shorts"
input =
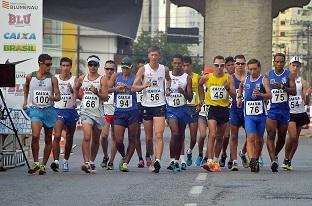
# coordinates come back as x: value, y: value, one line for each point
x: 178, y: 113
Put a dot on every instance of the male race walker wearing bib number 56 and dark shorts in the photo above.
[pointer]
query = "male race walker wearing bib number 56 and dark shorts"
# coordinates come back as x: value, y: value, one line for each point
x: 154, y: 76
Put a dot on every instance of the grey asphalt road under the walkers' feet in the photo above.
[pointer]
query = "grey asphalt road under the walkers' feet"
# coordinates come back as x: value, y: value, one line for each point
x: 142, y: 187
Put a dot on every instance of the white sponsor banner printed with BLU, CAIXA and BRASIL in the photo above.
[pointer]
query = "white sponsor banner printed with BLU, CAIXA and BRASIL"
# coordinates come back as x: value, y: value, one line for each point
x: 20, y: 44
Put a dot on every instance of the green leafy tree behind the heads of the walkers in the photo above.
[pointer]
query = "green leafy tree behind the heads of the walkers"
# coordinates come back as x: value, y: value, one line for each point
x: 168, y: 50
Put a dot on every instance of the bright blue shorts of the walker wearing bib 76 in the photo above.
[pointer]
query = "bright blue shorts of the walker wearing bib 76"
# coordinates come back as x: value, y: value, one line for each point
x: 255, y: 124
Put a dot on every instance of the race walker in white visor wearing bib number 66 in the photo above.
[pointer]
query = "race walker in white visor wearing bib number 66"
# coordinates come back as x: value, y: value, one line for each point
x: 92, y: 113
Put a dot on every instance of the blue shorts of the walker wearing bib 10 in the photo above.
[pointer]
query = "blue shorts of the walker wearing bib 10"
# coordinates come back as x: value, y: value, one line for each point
x: 182, y: 114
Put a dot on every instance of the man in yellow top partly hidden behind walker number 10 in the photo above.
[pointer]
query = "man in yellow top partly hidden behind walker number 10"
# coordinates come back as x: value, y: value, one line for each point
x: 194, y: 108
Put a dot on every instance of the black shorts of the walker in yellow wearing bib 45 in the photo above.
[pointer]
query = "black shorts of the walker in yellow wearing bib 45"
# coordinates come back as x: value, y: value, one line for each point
x: 220, y: 114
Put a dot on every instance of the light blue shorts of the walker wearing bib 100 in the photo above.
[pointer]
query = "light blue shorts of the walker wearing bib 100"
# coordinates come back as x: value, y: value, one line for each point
x: 46, y: 116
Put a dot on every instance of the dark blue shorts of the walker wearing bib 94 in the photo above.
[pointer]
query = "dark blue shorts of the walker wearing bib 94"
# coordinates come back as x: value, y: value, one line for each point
x: 126, y: 118
